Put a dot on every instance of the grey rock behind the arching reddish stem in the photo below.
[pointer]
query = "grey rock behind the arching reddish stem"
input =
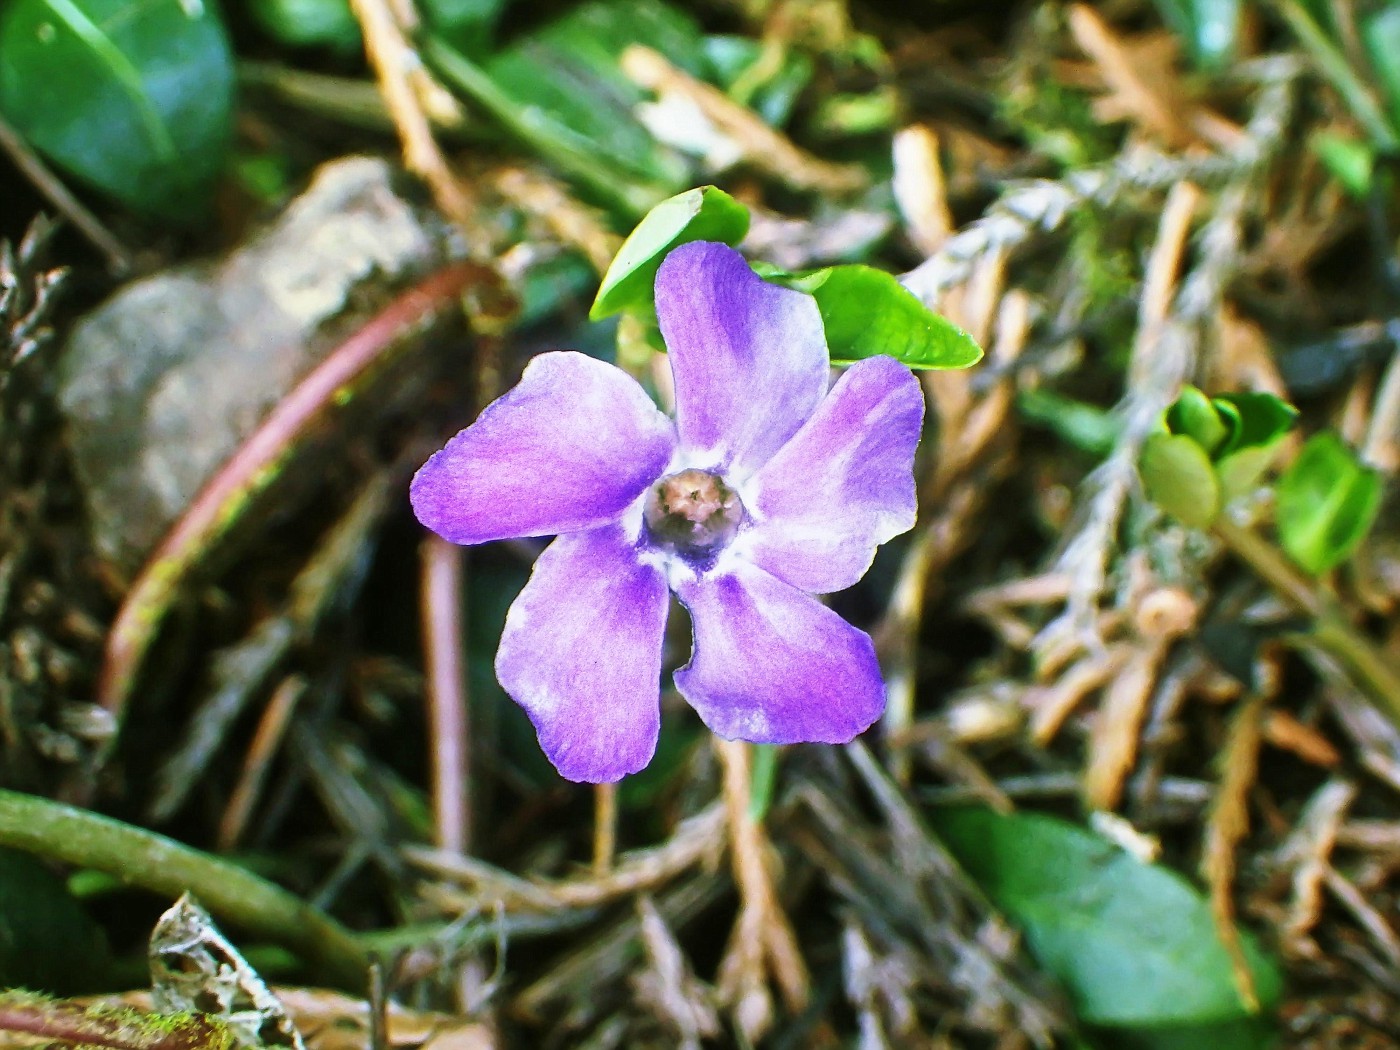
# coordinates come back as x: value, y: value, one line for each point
x: 169, y: 377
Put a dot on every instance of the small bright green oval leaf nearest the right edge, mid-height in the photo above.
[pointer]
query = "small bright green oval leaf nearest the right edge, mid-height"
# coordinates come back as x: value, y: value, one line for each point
x: 1328, y: 502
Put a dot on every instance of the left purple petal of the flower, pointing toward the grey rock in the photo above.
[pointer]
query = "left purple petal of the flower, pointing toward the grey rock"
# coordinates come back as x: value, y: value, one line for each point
x: 569, y: 449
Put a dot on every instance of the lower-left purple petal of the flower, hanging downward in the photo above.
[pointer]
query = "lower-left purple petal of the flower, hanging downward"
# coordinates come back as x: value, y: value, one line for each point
x: 582, y: 654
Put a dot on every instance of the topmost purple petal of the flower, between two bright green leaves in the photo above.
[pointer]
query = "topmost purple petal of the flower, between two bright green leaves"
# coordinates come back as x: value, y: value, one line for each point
x: 750, y: 358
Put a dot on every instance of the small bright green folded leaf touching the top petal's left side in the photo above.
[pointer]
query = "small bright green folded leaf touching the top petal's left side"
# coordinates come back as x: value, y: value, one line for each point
x: 698, y: 215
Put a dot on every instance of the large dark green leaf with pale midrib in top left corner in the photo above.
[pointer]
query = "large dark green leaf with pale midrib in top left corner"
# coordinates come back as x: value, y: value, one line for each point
x: 132, y: 99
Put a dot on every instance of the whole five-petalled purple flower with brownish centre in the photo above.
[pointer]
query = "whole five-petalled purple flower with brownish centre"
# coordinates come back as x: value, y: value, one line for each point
x: 764, y: 492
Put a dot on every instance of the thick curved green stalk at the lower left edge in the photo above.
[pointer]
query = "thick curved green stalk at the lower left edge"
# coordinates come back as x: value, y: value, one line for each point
x: 160, y: 864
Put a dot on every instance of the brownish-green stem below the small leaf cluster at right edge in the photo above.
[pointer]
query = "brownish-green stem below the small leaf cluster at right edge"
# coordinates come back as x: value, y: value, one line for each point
x: 1331, y: 631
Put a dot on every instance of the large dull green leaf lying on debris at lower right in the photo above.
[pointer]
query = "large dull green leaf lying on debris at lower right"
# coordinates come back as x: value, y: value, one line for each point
x: 1133, y: 944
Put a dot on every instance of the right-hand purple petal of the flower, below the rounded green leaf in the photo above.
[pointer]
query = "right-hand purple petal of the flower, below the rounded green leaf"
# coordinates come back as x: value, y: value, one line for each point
x: 843, y: 485
